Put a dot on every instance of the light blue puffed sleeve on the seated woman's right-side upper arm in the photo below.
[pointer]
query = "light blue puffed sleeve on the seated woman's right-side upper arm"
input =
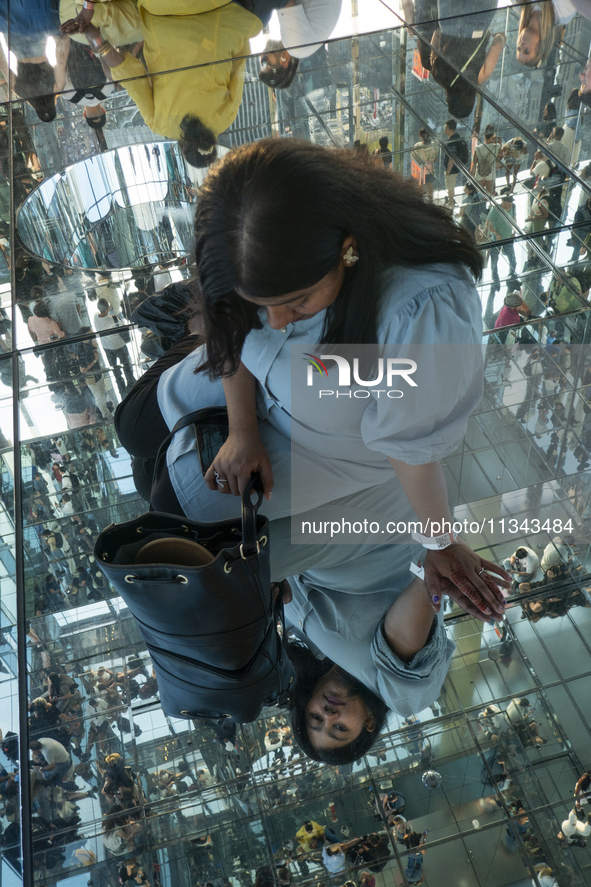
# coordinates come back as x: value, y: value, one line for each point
x: 439, y: 326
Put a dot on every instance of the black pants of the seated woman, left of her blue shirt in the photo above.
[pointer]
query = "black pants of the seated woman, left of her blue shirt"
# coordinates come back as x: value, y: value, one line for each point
x: 141, y: 429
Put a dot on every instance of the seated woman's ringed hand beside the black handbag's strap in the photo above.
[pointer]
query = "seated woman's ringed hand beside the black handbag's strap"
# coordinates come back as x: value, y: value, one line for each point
x: 240, y: 456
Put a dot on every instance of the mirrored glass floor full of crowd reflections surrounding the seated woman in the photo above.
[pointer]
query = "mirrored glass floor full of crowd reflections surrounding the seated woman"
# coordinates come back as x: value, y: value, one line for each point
x: 97, y: 196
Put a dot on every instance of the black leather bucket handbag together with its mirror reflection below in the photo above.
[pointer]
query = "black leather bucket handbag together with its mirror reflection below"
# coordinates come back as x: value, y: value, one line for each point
x: 201, y: 595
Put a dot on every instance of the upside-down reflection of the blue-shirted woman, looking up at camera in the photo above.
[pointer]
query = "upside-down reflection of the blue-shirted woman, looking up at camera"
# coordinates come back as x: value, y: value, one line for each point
x: 336, y: 717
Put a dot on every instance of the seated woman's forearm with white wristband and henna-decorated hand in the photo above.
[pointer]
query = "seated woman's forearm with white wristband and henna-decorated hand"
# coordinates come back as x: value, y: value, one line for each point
x: 456, y: 570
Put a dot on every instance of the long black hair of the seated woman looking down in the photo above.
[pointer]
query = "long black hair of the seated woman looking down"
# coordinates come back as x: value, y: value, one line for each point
x: 271, y: 219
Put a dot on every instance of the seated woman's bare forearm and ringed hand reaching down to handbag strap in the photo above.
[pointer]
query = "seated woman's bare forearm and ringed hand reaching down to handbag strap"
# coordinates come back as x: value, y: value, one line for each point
x: 243, y: 453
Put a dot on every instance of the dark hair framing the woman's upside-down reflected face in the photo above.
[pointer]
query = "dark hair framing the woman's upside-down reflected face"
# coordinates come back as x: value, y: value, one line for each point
x: 309, y: 671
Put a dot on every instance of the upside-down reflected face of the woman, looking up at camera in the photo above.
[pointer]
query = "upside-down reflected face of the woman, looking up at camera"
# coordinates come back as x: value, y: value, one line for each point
x: 333, y: 717
